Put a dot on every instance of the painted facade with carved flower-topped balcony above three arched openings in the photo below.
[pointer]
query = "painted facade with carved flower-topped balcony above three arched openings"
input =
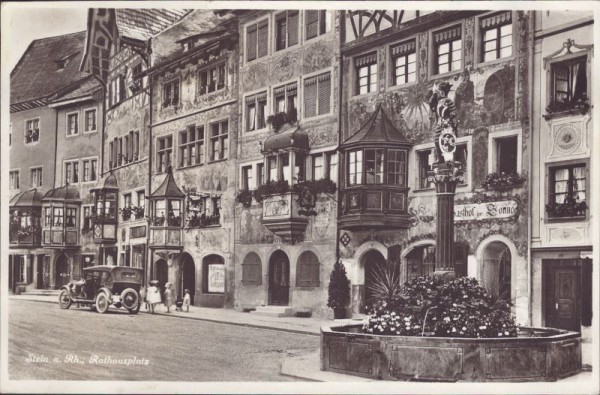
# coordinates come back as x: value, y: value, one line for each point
x: 288, y: 65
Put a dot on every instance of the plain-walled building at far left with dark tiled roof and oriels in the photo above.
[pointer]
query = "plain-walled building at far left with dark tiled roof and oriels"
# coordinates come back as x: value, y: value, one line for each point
x: 54, y: 105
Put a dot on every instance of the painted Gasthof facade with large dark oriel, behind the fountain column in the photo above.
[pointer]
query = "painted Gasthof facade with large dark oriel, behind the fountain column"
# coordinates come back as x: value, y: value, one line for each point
x: 386, y: 142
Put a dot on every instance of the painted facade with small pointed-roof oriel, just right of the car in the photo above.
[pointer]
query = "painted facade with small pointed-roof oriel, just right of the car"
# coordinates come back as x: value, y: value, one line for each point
x: 194, y: 122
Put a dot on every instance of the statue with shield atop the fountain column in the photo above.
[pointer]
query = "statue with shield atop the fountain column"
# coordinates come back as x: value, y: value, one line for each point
x: 445, y: 113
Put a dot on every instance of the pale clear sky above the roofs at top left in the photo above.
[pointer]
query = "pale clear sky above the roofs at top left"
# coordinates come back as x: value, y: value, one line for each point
x: 29, y: 21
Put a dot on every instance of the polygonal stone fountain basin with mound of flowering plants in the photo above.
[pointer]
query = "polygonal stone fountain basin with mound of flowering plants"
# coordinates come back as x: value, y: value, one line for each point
x: 431, y: 330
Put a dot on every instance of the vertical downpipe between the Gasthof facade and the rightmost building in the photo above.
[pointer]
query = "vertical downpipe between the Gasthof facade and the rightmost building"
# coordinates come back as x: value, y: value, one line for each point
x: 531, y: 28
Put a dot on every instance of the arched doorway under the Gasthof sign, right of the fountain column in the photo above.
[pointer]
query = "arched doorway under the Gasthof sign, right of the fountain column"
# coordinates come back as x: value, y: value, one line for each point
x: 496, y: 270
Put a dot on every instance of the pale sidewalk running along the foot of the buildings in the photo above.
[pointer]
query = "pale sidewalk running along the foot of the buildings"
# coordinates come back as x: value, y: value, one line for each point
x: 308, y: 326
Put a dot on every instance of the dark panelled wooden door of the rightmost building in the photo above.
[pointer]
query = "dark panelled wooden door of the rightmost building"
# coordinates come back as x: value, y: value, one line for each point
x: 563, y: 293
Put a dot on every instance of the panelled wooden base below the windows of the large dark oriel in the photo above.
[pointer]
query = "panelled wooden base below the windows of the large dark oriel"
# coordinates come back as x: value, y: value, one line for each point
x: 371, y: 206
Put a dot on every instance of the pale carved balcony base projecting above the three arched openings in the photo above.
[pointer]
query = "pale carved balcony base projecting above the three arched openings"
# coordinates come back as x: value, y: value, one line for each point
x: 281, y: 216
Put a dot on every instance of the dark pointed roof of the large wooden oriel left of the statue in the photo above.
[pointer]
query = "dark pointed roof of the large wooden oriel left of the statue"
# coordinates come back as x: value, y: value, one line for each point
x: 377, y: 130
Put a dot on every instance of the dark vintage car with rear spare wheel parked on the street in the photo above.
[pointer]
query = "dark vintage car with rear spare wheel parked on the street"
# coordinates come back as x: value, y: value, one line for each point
x: 102, y: 286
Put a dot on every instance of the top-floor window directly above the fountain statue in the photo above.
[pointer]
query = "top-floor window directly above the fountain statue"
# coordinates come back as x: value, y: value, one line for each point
x: 447, y: 50
